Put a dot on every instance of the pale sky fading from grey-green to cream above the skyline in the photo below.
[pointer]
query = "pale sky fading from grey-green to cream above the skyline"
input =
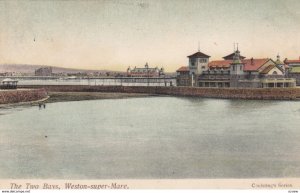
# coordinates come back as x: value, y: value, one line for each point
x: 115, y: 34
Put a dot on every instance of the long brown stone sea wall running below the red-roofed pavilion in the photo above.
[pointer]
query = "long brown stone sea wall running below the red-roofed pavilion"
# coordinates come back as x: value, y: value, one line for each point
x: 227, y: 93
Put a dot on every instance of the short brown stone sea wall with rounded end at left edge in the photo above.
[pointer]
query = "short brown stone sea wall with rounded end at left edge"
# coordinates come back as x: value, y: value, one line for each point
x: 22, y: 95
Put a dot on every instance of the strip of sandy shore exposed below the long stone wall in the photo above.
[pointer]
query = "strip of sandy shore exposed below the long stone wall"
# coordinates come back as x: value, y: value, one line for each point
x: 78, y: 96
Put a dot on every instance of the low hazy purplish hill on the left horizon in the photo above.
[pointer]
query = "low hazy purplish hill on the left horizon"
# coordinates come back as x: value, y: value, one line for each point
x: 29, y: 68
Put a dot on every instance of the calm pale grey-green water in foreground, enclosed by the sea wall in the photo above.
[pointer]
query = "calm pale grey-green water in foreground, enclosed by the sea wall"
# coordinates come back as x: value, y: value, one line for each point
x: 156, y: 137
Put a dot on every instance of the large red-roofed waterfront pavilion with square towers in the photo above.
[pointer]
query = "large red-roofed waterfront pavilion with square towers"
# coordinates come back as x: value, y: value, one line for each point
x: 234, y: 71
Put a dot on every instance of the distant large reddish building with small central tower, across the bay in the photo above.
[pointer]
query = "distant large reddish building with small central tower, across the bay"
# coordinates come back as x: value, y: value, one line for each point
x: 145, y: 72
